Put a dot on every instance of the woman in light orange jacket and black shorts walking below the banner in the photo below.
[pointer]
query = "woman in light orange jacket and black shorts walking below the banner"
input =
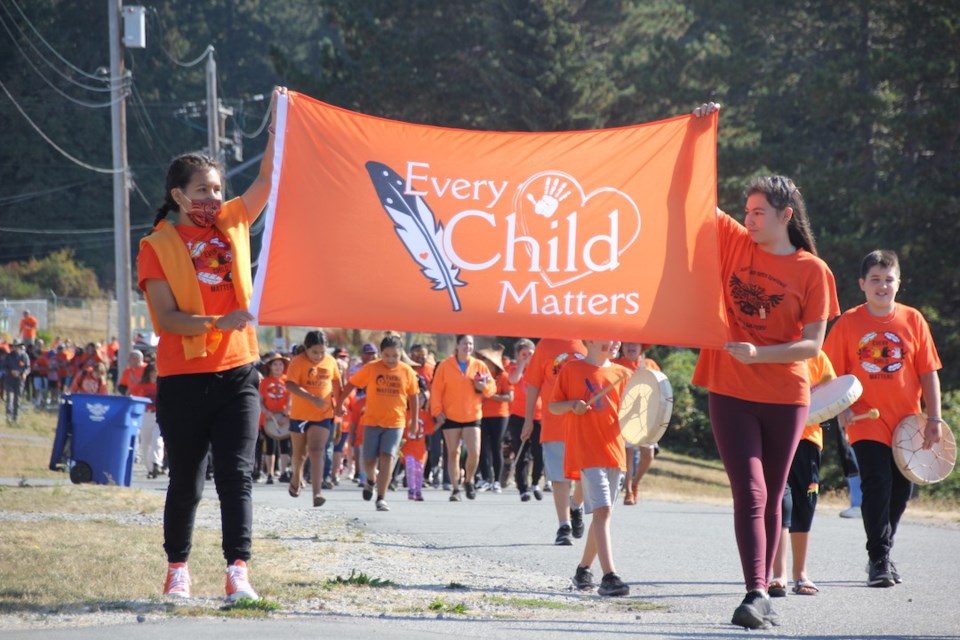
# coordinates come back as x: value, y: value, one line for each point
x: 460, y: 384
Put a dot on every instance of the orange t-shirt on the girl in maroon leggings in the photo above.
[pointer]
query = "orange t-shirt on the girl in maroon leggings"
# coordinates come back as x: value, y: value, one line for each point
x: 769, y: 298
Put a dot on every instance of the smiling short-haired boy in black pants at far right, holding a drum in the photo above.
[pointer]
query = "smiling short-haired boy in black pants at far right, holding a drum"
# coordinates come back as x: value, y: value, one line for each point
x: 888, y: 347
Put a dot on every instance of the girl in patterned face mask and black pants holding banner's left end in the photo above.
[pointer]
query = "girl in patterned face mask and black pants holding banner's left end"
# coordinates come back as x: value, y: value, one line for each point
x: 195, y: 271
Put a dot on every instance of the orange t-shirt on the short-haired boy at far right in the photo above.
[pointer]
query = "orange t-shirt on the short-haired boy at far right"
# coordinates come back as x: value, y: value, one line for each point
x: 888, y: 356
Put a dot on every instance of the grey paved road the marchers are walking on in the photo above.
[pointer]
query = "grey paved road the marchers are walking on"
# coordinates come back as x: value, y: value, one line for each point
x: 681, y: 556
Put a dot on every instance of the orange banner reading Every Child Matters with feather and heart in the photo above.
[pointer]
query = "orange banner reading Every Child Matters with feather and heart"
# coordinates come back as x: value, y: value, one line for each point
x: 592, y: 234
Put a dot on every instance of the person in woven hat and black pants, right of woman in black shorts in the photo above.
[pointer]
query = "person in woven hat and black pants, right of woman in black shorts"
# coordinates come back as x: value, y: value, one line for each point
x: 493, y: 423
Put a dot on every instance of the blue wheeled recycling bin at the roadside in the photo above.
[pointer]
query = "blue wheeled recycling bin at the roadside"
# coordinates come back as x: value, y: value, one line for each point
x: 103, y: 437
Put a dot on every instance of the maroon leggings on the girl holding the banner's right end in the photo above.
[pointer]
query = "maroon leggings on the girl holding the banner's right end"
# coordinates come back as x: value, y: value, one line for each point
x: 756, y: 441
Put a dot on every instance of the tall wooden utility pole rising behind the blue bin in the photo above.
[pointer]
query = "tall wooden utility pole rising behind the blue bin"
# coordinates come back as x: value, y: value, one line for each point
x: 121, y: 194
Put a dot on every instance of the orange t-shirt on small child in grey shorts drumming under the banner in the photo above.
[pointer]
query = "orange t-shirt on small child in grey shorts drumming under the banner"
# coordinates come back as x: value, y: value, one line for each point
x: 593, y: 439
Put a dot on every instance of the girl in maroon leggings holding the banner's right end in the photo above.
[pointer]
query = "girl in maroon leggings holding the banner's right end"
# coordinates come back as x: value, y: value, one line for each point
x: 779, y: 296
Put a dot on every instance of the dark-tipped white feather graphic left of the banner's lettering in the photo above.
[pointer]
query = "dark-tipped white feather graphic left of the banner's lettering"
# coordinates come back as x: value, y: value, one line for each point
x: 417, y: 228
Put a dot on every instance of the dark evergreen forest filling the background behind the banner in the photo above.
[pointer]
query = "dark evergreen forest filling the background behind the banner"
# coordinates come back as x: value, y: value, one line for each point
x: 854, y: 100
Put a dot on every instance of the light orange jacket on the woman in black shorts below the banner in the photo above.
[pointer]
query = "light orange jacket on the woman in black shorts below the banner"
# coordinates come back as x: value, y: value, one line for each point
x: 453, y: 394
